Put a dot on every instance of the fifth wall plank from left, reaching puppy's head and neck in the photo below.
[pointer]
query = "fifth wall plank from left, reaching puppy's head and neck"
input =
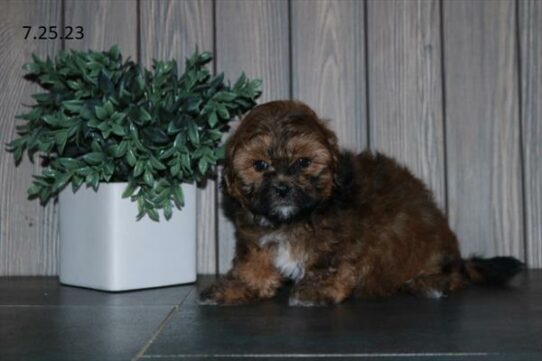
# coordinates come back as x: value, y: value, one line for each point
x: 328, y: 65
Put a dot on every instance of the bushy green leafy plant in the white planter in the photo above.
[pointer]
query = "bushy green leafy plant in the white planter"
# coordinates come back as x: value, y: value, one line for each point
x: 103, y: 119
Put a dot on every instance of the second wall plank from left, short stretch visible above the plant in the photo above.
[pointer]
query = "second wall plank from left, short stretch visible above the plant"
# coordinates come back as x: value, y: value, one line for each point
x: 105, y: 24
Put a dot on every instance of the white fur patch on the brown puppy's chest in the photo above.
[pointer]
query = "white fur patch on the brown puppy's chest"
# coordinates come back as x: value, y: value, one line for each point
x: 288, y: 265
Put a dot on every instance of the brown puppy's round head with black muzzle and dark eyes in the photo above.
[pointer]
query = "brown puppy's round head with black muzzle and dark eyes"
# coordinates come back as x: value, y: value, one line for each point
x: 280, y: 161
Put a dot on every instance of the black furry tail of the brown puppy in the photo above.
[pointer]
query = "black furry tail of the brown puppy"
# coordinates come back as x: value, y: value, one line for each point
x: 496, y: 271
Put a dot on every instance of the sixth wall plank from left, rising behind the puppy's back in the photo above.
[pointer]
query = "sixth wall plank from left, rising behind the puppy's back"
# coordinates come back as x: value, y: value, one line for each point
x: 405, y: 87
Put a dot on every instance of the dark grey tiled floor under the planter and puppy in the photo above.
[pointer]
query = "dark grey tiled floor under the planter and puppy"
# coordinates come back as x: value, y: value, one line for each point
x: 41, y: 320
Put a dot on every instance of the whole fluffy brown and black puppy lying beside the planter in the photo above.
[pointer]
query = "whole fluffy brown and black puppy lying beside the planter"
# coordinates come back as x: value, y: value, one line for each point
x: 334, y: 223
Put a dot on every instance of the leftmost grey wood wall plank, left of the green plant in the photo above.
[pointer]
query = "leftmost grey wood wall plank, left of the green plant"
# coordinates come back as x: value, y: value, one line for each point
x: 28, y: 232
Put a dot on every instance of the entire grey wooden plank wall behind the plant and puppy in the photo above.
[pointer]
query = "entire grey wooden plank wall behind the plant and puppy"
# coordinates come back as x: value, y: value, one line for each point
x: 453, y: 89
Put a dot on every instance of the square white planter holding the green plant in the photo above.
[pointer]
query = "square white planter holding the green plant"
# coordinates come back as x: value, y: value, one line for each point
x: 102, y: 246
